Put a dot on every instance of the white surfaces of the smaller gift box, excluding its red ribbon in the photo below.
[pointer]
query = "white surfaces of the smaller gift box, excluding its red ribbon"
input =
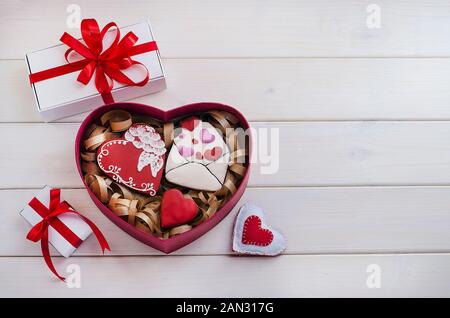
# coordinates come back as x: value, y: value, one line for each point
x: 76, y: 224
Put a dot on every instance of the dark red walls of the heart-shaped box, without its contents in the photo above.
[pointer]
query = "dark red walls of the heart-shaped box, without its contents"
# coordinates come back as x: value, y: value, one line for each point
x: 171, y: 244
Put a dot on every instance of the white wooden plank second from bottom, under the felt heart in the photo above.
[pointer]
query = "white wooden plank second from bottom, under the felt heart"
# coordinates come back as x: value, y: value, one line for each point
x: 313, y: 220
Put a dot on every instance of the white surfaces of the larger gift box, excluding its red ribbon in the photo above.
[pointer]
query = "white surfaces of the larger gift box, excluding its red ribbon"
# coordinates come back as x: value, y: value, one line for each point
x: 64, y: 96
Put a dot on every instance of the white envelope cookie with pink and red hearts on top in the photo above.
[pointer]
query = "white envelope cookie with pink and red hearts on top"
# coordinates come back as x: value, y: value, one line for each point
x: 199, y: 157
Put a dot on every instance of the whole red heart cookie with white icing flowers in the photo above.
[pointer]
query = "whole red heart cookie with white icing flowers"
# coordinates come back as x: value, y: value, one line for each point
x: 136, y: 160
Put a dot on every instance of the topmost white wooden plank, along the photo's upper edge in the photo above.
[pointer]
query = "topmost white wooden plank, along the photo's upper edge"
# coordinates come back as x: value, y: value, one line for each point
x: 248, y: 28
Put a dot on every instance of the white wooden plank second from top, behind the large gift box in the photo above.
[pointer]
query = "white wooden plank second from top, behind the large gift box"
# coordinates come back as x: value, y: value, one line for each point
x: 281, y: 89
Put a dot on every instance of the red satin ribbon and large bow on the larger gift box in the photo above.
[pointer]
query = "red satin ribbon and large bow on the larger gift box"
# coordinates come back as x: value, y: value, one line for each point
x: 107, y: 64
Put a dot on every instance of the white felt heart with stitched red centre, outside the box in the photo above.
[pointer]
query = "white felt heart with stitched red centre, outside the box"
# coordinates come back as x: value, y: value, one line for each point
x: 252, y: 235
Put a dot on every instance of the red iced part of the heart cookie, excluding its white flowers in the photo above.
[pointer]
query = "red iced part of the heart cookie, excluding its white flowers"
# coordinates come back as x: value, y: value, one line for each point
x: 119, y: 159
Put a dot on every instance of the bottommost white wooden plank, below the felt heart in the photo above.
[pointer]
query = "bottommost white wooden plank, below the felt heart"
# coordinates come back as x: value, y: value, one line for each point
x: 219, y: 276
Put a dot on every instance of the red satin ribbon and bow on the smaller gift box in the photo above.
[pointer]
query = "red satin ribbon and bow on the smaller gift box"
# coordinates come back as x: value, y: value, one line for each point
x: 49, y: 215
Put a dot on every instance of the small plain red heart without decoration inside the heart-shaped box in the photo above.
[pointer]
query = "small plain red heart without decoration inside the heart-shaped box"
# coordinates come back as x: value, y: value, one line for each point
x: 176, y: 209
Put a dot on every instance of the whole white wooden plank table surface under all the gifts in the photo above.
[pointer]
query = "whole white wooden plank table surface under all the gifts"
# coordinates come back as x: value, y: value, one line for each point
x: 364, y: 125
